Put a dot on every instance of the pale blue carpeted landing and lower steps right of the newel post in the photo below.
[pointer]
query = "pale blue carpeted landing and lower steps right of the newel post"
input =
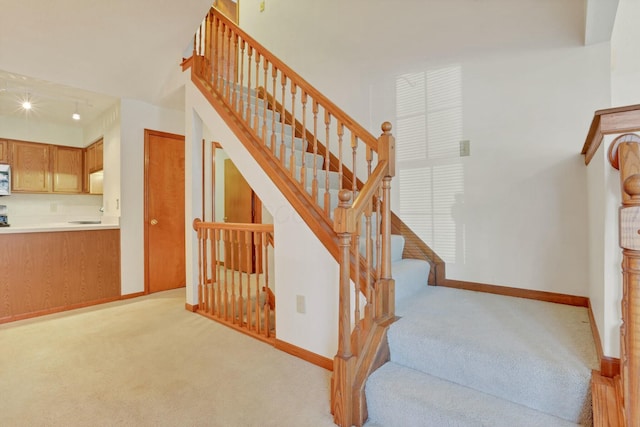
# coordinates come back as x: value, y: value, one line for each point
x: 464, y: 358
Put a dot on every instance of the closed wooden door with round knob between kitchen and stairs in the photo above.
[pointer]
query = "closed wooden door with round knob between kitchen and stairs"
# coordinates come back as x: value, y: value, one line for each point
x: 164, y: 212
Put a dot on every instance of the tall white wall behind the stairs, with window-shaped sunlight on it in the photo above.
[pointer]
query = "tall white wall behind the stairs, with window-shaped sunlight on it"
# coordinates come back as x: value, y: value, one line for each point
x: 529, y: 88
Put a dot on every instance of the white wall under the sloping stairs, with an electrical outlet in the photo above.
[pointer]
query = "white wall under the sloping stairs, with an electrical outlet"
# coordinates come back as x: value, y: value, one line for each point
x: 310, y: 272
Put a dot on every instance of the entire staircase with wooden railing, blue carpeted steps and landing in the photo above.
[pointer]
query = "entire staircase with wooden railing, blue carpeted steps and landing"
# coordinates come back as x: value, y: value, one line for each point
x: 453, y: 358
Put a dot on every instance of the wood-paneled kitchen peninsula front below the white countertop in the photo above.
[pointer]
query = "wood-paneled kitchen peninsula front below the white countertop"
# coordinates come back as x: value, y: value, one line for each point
x: 54, y: 271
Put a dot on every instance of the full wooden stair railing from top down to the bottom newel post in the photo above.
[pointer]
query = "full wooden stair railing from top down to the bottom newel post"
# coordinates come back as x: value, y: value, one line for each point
x: 332, y: 161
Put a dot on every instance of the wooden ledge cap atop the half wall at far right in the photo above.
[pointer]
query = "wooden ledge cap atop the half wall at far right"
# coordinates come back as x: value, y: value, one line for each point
x: 610, y: 121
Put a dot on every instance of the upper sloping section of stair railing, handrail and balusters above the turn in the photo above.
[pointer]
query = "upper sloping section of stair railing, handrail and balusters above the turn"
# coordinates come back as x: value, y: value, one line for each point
x: 284, y: 112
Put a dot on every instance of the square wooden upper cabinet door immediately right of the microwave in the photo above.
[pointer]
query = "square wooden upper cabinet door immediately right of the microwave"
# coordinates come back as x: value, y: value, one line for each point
x: 30, y: 167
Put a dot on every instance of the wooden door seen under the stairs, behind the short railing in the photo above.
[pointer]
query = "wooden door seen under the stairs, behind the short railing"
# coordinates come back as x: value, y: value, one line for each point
x: 241, y: 205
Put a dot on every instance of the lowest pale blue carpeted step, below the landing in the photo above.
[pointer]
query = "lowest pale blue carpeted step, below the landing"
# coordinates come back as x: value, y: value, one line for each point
x: 398, y: 396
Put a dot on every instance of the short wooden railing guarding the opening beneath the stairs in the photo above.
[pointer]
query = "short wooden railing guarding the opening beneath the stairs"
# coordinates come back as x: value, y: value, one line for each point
x: 234, y: 282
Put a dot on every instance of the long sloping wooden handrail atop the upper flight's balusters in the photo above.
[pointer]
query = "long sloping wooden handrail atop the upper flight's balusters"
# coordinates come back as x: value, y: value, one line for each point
x: 338, y: 113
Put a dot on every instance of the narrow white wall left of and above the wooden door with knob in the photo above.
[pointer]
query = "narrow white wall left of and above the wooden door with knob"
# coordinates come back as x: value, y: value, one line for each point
x: 135, y: 117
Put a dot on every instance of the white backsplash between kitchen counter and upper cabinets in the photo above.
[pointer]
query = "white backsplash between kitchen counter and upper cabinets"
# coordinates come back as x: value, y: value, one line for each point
x: 31, y: 209
